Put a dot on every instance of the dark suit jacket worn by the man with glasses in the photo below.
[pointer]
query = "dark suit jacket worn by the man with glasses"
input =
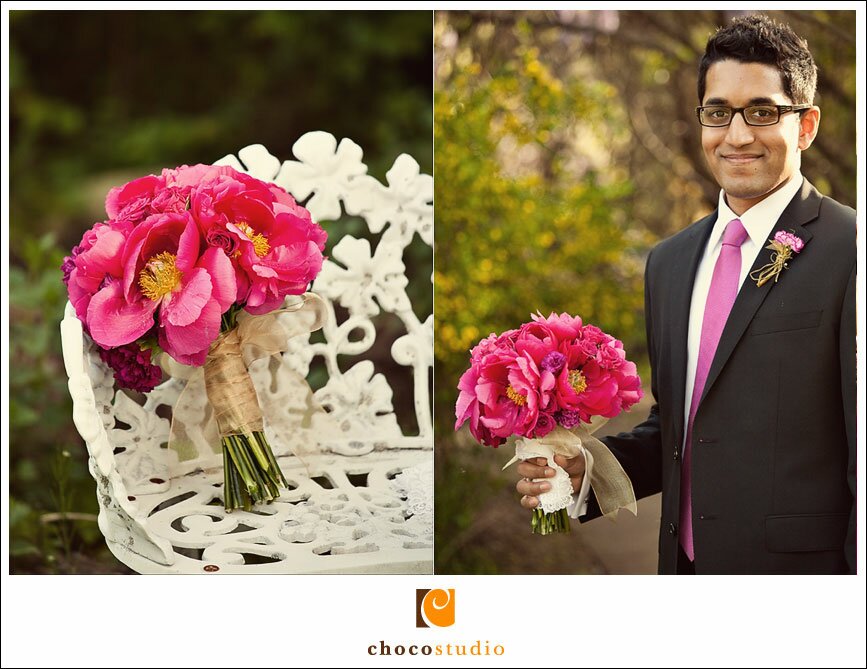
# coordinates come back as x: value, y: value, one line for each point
x: 774, y: 443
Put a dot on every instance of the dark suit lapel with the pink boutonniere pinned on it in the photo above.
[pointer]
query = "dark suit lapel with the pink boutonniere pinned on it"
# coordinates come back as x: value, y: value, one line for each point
x: 803, y: 209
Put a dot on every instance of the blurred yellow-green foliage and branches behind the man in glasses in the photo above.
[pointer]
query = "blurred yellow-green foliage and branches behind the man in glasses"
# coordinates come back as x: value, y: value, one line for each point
x: 566, y: 146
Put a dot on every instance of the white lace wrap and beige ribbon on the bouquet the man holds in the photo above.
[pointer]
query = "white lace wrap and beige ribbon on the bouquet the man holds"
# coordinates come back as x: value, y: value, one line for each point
x: 610, y: 483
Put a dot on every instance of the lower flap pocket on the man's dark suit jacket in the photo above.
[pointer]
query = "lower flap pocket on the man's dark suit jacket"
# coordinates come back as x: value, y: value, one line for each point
x: 808, y: 532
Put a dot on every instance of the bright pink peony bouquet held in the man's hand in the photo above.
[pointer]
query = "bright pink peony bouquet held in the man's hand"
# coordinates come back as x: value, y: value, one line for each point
x: 552, y: 382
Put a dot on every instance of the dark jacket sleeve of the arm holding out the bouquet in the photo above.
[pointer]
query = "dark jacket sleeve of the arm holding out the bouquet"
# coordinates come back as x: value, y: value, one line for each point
x: 639, y: 451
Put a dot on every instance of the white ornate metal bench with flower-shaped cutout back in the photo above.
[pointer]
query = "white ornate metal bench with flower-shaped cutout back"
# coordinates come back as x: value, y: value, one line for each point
x: 365, y: 506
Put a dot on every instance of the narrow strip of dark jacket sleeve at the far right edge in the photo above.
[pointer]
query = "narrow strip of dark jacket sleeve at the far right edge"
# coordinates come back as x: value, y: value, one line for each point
x: 849, y: 392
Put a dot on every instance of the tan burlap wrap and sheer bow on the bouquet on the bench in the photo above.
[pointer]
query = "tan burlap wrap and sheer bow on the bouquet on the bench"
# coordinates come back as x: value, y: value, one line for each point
x: 220, y: 399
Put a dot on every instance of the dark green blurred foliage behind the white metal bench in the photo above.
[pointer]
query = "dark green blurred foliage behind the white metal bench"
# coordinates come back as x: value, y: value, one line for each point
x: 98, y: 98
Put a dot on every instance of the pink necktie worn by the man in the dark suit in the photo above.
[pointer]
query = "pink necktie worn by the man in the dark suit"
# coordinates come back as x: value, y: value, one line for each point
x: 720, y: 298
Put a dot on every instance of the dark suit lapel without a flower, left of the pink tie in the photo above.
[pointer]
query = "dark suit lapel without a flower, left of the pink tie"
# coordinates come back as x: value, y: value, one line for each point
x: 694, y: 243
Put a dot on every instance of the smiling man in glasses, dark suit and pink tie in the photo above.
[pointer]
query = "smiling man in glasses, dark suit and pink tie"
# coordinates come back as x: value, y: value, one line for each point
x: 752, y: 439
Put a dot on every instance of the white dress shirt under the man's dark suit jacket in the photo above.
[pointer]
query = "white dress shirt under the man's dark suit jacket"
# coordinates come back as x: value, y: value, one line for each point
x: 759, y: 220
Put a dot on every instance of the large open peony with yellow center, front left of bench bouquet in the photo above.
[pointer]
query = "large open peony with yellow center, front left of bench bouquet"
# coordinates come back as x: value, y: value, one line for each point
x: 164, y: 276
